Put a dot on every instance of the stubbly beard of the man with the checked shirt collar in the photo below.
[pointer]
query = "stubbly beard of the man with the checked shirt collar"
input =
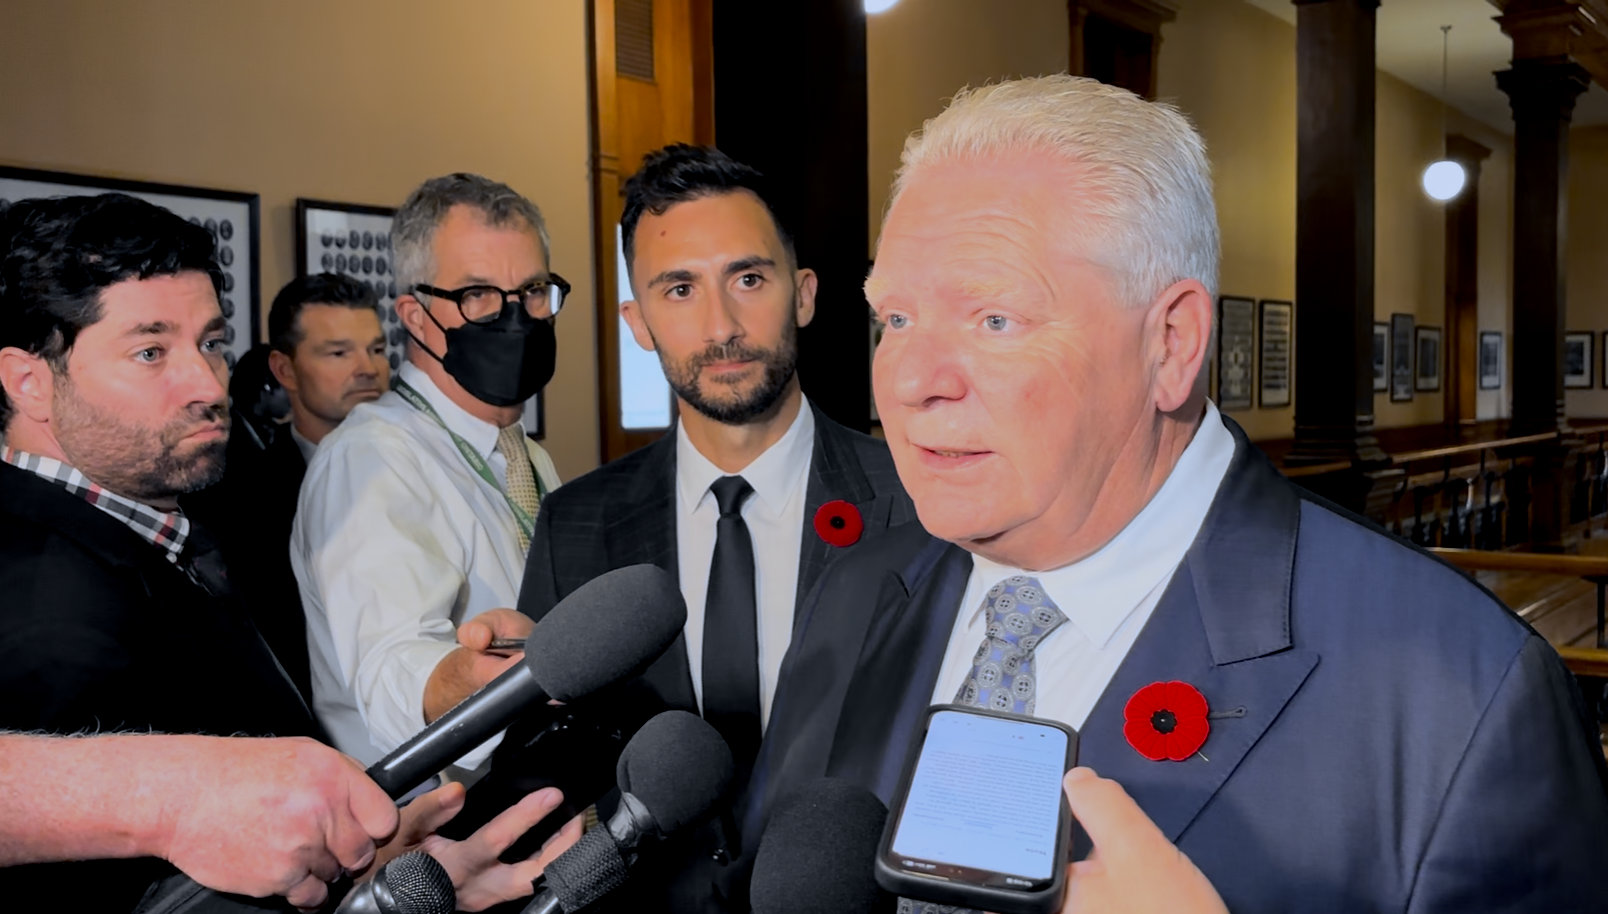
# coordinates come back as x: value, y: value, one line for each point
x: 136, y: 461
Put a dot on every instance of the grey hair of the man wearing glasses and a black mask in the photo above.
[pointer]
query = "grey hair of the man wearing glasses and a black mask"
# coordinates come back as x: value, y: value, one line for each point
x: 414, y: 228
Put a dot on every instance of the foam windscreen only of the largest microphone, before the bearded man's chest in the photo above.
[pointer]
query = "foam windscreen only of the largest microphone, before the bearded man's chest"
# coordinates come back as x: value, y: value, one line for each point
x: 609, y: 630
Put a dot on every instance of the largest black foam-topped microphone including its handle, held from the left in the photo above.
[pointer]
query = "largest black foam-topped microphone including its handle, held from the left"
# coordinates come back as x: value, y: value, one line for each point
x: 609, y: 630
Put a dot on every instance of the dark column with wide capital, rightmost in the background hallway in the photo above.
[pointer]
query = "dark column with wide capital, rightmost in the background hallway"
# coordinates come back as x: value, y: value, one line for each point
x: 1543, y: 97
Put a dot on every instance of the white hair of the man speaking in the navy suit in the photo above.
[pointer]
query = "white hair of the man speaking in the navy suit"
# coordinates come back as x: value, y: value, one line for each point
x: 1149, y: 181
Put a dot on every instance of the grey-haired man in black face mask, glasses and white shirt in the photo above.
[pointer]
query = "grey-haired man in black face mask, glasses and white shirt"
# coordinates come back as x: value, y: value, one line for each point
x: 417, y: 513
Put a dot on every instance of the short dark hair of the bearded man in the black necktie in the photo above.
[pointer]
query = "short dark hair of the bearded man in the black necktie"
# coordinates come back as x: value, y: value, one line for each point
x: 681, y: 173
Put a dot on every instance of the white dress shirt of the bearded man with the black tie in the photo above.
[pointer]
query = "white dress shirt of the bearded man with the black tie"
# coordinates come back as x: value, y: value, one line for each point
x: 776, y: 522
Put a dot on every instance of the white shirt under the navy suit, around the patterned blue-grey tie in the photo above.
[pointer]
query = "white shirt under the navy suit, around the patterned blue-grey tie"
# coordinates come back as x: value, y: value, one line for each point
x: 1107, y: 596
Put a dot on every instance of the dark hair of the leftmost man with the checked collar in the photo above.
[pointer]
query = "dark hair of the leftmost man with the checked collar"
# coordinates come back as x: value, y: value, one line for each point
x: 57, y: 257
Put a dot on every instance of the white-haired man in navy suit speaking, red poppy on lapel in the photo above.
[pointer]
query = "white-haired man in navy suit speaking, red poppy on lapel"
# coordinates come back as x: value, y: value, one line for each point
x: 1343, y: 723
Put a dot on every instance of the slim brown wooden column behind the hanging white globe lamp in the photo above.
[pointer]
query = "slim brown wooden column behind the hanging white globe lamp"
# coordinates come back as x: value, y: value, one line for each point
x: 1462, y: 286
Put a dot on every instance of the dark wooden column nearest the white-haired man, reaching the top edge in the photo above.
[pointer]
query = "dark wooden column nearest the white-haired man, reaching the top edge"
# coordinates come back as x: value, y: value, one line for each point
x: 1335, y: 76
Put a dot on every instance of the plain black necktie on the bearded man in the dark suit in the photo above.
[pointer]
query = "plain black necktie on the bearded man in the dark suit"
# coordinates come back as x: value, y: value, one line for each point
x: 731, y: 662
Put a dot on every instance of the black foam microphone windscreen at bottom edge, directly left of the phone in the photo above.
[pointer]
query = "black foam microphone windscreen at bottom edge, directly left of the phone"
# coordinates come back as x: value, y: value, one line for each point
x: 818, y: 854
